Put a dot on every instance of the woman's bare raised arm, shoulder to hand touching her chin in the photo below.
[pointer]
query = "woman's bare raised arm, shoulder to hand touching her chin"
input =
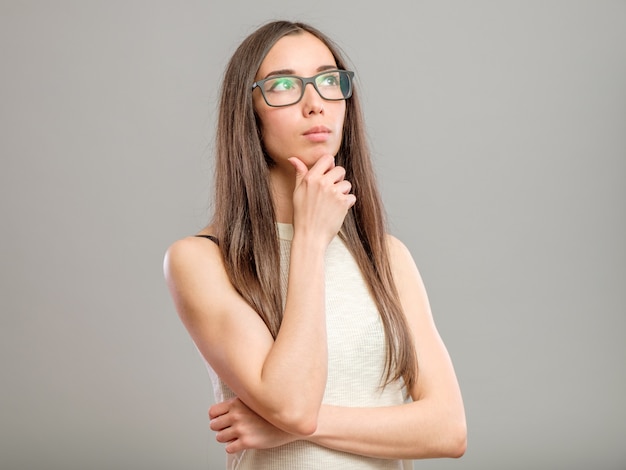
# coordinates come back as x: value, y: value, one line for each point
x: 267, y: 375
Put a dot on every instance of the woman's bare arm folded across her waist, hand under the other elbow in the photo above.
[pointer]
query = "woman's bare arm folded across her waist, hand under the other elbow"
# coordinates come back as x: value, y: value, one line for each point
x: 432, y: 425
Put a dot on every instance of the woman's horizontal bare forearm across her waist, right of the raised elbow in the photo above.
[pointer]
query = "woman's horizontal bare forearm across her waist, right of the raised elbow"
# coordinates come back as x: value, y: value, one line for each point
x: 411, y: 431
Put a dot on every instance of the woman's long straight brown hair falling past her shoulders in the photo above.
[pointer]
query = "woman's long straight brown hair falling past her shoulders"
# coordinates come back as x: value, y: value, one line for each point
x: 244, y: 219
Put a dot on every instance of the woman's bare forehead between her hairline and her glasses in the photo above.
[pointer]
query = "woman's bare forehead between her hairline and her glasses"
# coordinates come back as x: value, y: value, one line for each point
x: 302, y: 54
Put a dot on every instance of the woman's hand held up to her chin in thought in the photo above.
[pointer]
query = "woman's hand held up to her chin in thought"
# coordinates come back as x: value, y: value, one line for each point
x: 321, y: 197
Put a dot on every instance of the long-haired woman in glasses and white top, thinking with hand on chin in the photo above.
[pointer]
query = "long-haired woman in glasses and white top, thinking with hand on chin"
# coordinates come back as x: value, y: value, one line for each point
x: 311, y: 318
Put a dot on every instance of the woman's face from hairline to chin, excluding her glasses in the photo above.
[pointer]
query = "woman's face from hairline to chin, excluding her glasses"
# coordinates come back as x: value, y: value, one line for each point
x: 313, y: 126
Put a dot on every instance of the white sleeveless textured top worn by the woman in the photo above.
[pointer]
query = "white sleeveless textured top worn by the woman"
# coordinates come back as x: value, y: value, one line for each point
x: 356, y: 360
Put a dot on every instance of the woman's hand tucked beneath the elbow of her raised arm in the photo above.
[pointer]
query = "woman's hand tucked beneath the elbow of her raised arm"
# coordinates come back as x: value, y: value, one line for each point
x: 241, y: 428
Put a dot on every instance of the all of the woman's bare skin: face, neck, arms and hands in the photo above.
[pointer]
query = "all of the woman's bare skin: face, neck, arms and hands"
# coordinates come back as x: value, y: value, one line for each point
x: 272, y: 407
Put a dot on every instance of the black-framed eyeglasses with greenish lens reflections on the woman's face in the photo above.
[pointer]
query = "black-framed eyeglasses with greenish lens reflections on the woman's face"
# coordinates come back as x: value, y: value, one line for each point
x: 285, y: 90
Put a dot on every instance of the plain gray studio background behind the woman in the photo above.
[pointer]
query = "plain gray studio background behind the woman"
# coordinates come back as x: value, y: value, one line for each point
x: 499, y: 133
